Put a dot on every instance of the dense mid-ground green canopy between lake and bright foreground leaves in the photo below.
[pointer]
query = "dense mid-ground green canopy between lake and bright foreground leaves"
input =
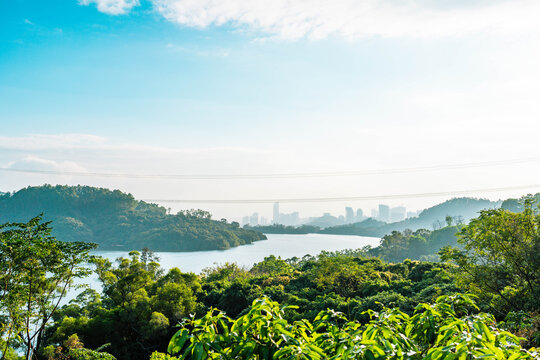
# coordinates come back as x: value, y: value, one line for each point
x: 347, y: 281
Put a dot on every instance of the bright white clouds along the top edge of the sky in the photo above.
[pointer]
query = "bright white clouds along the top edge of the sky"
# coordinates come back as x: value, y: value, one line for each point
x: 316, y: 19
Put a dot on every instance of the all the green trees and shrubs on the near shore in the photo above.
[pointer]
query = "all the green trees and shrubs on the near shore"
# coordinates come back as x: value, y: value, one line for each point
x: 478, y: 301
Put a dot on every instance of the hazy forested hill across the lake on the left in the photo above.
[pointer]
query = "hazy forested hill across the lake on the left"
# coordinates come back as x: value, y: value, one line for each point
x: 116, y: 221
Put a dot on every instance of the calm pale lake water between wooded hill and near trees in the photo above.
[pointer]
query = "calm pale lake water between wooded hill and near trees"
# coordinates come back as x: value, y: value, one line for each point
x: 286, y: 246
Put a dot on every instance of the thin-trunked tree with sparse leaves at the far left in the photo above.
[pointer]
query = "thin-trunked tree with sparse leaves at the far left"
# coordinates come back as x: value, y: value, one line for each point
x: 36, y: 272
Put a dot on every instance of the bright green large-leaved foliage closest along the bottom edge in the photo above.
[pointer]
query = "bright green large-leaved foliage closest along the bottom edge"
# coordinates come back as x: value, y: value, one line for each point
x: 445, y: 330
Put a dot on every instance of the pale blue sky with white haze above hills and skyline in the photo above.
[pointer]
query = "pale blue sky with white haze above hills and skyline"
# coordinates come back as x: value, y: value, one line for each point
x: 211, y: 87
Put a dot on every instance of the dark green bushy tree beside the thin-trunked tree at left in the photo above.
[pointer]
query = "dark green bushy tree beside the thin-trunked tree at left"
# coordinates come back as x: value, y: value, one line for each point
x: 137, y: 310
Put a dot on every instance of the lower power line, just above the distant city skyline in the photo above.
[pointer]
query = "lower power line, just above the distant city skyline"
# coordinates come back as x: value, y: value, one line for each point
x: 340, y: 199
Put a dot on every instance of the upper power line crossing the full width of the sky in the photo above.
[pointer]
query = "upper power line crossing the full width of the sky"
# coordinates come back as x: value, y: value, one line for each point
x: 277, y: 175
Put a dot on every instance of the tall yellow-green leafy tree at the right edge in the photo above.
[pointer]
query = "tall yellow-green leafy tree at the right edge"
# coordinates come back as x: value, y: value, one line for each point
x: 500, y: 257
